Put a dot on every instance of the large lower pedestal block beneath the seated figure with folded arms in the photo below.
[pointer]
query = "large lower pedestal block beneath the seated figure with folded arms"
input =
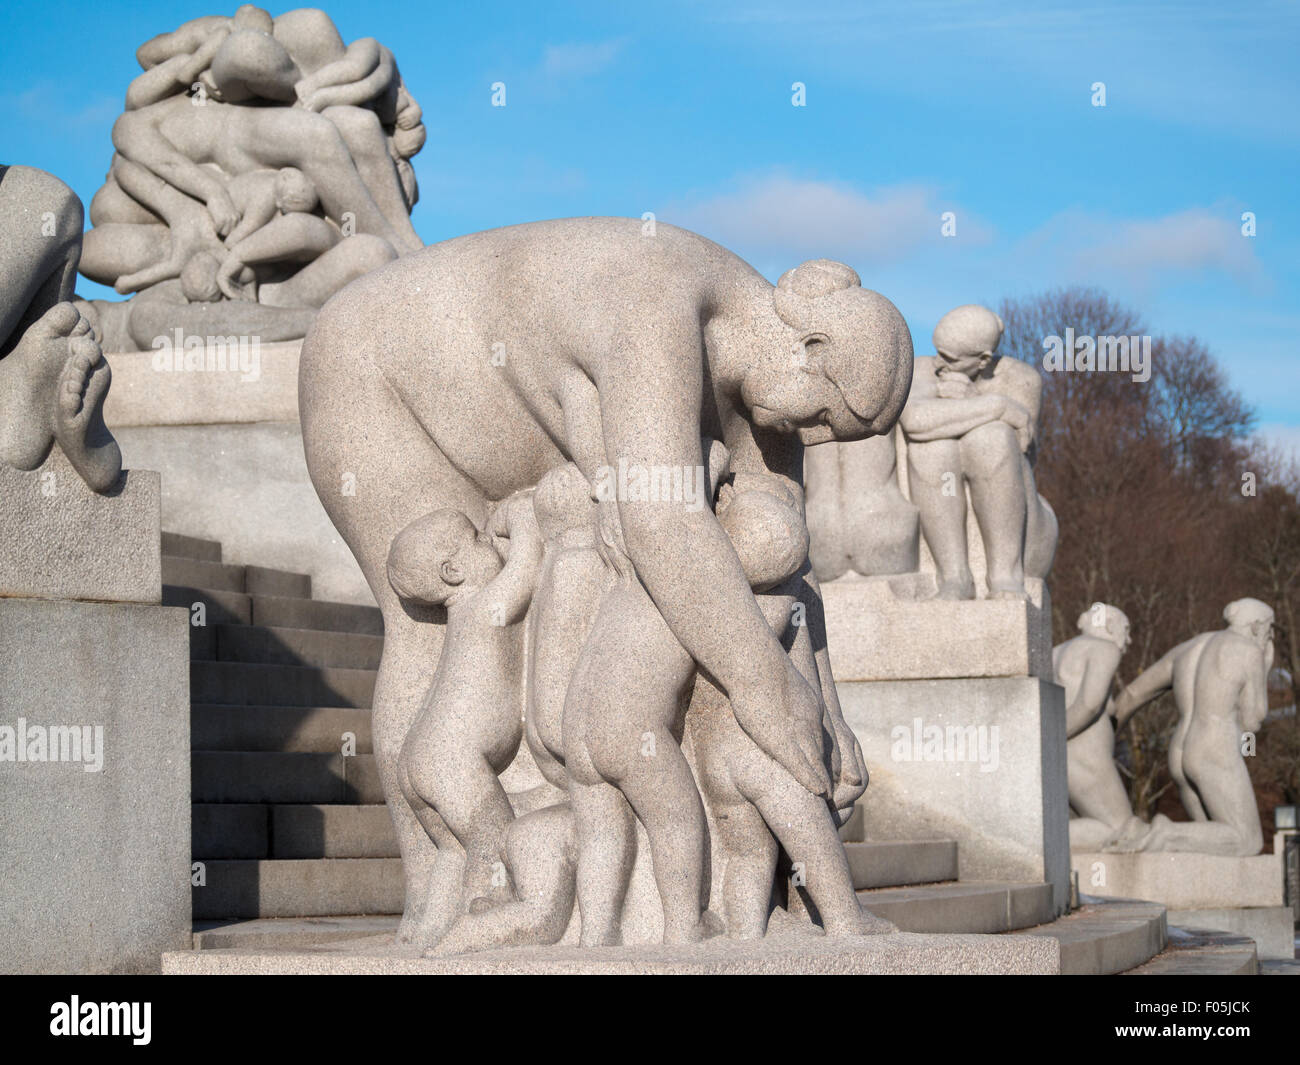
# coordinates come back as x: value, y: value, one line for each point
x: 977, y: 760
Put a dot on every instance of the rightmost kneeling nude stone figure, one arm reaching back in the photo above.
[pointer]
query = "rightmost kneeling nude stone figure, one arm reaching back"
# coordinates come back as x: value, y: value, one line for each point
x: 1220, y: 685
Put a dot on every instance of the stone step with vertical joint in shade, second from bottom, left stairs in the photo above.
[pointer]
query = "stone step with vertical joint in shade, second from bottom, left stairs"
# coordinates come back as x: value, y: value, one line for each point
x: 259, y: 830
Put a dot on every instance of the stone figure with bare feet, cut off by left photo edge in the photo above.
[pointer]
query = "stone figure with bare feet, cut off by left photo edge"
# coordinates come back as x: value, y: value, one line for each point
x: 54, y: 378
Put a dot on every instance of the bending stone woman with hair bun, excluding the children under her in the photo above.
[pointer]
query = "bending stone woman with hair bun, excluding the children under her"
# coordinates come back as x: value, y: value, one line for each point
x: 467, y: 371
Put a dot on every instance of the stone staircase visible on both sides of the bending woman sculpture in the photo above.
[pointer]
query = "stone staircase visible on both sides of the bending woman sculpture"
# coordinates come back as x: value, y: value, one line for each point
x: 298, y: 848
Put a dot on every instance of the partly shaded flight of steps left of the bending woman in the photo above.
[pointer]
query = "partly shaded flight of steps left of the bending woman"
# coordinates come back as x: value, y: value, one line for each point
x: 288, y: 816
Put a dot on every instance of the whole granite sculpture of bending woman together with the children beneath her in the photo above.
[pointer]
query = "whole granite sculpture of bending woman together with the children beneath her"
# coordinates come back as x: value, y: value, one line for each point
x: 539, y: 360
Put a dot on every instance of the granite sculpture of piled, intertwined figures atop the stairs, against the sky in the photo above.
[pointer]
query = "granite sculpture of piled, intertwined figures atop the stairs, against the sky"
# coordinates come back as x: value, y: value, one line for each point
x: 259, y: 166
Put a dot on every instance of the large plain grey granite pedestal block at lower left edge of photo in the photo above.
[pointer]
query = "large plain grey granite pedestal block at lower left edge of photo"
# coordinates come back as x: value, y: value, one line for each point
x: 94, y: 865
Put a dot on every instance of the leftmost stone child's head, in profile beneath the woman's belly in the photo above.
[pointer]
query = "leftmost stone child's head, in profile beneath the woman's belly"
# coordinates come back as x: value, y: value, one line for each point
x: 439, y: 553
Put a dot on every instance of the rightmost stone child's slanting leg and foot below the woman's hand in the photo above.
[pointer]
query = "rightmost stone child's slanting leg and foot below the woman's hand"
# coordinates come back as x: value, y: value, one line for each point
x: 804, y: 825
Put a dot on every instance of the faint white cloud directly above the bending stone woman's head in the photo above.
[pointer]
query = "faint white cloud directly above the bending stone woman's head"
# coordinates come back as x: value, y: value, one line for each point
x: 794, y: 219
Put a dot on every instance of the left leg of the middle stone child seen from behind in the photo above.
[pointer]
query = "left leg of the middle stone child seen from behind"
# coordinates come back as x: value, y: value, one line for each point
x: 606, y: 848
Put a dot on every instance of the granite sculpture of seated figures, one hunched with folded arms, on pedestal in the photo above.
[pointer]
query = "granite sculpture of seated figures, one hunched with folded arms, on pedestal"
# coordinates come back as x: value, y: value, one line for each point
x: 964, y: 452
